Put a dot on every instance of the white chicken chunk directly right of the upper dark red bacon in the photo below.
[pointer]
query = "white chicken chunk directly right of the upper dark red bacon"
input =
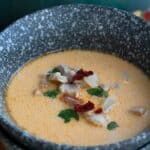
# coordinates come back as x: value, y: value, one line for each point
x: 92, y: 80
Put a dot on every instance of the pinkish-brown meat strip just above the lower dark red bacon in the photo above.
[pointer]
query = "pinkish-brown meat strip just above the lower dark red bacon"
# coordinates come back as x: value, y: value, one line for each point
x: 72, y: 100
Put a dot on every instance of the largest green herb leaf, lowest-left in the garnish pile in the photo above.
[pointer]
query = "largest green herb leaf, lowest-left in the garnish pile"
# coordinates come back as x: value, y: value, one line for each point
x: 67, y: 114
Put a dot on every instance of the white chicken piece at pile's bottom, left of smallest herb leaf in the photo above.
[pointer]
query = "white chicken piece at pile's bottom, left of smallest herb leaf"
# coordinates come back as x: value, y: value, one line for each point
x: 97, y: 119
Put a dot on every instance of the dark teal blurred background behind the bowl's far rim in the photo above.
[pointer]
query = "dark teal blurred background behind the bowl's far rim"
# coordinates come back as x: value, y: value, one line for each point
x: 10, y: 10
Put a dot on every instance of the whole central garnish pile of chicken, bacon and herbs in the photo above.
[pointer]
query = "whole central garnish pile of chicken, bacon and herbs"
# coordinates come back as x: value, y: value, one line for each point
x: 69, y: 82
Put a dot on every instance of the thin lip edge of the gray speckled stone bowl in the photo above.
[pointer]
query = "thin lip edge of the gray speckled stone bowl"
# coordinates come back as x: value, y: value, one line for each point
x: 6, y: 124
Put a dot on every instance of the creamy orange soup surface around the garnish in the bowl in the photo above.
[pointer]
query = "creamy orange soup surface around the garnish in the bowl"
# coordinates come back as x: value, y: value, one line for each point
x: 39, y: 114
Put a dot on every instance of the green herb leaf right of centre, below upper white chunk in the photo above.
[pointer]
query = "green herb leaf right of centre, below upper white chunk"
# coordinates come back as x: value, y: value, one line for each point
x: 100, y: 92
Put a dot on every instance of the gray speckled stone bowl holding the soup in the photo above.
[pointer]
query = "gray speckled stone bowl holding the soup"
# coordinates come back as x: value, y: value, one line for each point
x: 71, y: 27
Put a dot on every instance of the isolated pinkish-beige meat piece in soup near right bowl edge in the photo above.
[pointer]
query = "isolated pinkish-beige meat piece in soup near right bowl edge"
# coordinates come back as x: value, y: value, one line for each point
x: 139, y: 111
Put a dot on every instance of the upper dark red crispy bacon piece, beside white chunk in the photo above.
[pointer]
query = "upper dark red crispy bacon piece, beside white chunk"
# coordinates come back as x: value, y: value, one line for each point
x: 80, y: 74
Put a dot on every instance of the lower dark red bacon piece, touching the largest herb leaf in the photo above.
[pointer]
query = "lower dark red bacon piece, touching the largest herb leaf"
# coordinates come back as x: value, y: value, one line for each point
x: 85, y: 107
